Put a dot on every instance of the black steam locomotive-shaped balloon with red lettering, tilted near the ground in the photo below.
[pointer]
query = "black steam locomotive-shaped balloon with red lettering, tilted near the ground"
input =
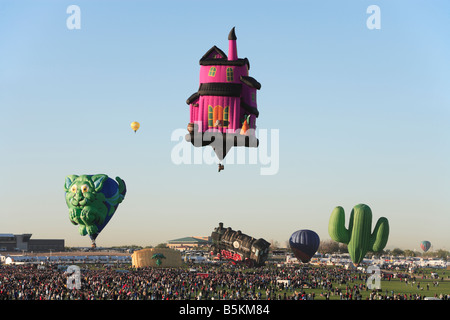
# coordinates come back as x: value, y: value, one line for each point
x: 238, y: 247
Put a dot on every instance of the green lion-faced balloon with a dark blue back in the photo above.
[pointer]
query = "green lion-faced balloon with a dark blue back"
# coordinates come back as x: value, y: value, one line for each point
x: 92, y: 201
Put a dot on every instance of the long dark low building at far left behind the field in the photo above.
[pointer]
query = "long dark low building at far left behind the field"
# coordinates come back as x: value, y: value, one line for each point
x: 23, y: 242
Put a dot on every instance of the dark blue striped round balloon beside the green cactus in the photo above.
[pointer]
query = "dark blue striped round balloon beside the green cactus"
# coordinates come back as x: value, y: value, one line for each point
x: 304, y: 244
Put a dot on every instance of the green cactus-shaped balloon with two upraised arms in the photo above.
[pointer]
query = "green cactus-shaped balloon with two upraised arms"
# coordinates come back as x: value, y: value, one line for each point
x: 359, y: 236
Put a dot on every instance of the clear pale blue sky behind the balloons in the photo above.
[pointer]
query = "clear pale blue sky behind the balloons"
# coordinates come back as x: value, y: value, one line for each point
x: 362, y: 116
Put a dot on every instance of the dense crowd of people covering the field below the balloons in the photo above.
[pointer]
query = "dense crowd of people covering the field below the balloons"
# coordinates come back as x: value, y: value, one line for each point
x: 205, y: 282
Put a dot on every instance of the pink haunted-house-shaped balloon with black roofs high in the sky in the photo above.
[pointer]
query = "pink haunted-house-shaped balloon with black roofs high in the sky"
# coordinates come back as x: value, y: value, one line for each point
x: 223, y: 111
